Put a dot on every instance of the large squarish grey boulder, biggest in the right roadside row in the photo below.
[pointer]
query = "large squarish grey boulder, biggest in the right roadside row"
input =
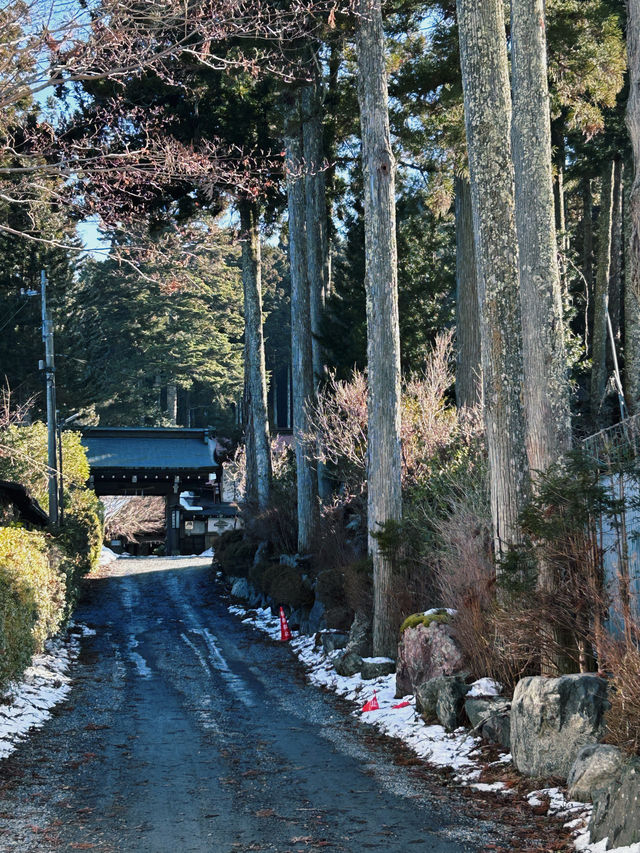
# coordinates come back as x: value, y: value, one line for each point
x: 552, y: 719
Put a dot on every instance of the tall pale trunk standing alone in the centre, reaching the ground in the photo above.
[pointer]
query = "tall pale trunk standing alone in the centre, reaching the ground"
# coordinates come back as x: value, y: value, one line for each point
x: 383, y: 335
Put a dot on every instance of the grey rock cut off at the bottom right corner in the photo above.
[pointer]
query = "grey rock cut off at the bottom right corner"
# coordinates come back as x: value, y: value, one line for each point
x: 616, y: 808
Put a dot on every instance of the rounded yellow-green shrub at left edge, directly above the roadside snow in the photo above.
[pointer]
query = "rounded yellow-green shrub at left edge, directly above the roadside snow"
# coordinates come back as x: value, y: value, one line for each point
x: 31, y: 598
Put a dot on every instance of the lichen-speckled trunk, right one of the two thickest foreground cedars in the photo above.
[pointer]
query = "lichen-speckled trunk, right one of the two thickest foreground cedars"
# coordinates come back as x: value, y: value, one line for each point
x: 546, y: 387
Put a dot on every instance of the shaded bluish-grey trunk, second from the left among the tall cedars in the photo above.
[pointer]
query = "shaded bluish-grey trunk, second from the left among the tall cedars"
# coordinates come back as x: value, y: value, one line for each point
x: 301, y: 355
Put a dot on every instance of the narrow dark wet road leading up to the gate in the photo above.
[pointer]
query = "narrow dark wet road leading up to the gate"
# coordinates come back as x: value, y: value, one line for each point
x: 189, y: 732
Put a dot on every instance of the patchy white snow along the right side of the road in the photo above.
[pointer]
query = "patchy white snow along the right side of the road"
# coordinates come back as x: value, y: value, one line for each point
x: 398, y: 718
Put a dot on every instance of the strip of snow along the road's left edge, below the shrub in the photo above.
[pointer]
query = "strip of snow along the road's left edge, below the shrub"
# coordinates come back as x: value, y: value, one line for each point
x: 45, y: 683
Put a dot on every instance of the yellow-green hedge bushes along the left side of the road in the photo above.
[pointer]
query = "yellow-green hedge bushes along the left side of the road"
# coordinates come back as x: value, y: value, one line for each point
x: 41, y: 569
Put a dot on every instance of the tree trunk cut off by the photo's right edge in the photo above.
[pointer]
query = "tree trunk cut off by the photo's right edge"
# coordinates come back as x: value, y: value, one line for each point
x: 632, y: 280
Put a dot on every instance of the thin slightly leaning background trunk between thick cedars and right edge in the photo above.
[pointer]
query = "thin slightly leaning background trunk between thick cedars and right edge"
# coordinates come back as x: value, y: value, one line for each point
x: 601, y: 300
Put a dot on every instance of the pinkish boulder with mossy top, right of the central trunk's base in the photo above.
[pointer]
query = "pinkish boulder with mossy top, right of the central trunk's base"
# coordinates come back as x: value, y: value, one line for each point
x: 426, y: 651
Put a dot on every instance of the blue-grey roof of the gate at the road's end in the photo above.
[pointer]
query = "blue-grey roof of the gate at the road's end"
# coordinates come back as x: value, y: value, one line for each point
x: 133, y: 448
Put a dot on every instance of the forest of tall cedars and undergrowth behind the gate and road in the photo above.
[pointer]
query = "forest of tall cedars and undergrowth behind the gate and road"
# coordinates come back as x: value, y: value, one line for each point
x: 227, y: 160
